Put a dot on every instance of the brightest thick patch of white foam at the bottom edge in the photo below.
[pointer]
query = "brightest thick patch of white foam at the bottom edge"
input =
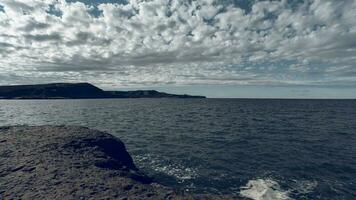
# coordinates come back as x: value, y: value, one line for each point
x: 261, y: 189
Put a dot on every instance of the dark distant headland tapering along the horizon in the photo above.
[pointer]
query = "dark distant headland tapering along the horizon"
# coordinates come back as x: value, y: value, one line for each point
x: 77, y: 91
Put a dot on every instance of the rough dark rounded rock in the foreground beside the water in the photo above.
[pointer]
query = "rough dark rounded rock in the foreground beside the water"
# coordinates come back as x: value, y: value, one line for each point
x: 63, y: 162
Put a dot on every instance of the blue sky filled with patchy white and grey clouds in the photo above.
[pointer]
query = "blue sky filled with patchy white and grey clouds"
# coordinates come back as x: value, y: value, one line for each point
x: 217, y: 48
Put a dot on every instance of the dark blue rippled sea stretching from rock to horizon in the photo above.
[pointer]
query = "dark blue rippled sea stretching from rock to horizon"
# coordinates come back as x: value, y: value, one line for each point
x: 262, y: 149
